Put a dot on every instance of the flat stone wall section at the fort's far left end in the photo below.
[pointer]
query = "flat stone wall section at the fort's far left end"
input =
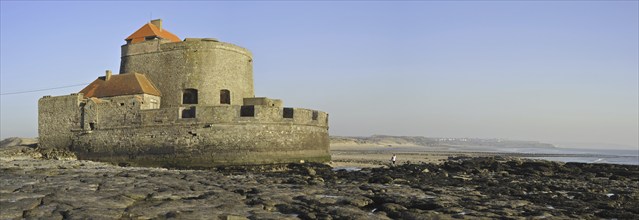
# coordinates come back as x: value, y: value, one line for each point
x: 58, y: 118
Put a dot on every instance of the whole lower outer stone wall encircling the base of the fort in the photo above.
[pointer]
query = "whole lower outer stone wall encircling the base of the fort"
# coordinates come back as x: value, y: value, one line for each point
x: 118, y: 131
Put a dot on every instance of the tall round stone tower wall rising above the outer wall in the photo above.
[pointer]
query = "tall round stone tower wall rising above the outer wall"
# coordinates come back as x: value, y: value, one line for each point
x: 205, y: 65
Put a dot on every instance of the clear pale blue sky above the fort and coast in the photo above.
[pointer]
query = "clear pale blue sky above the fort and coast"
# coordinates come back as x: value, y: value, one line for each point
x: 563, y: 71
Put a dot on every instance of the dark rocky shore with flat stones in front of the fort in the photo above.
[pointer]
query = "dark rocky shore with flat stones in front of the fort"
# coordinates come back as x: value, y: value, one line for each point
x: 459, y: 187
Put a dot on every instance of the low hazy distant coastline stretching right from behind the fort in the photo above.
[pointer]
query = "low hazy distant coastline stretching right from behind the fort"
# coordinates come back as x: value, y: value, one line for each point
x: 385, y: 140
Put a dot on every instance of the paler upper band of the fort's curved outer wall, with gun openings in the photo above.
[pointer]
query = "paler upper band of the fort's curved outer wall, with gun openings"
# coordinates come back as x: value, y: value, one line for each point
x: 121, y: 114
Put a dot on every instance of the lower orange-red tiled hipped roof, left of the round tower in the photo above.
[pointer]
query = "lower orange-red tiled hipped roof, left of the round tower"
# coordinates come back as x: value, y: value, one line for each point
x: 121, y: 84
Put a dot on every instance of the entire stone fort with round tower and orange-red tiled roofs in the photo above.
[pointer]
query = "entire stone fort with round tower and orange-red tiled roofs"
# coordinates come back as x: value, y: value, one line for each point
x: 180, y: 103
